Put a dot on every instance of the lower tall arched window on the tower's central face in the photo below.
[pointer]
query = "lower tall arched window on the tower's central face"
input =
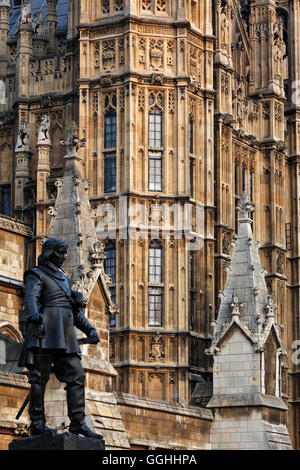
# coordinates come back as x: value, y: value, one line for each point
x: 155, y: 286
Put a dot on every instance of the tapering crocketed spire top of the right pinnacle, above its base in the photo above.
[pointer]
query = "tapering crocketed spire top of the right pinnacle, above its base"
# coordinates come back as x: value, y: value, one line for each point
x: 245, y: 298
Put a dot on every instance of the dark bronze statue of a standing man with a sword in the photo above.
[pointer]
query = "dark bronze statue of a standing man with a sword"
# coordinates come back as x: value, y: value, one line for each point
x: 50, y: 301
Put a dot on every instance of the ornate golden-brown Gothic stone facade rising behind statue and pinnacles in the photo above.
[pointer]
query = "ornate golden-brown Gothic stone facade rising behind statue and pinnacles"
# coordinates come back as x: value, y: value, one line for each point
x: 182, y: 103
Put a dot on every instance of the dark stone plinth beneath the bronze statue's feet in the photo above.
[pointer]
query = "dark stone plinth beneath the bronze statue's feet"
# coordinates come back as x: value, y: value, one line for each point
x: 49, y: 442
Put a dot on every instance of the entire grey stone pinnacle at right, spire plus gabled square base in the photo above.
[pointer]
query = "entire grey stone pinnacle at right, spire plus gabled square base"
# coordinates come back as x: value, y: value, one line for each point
x: 247, y: 352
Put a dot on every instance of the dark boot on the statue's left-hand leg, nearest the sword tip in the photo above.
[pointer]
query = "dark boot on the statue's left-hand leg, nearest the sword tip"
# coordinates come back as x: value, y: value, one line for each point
x: 36, y: 411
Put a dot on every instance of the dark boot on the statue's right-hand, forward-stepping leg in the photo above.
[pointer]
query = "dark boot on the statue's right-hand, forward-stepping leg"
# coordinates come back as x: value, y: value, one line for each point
x: 76, y: 412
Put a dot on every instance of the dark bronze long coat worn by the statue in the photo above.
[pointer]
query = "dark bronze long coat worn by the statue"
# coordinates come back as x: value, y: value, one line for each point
x: 48, y: 291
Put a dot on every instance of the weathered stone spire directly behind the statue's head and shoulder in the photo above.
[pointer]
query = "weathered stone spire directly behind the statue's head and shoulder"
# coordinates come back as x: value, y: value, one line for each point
x: 72, y: 221
